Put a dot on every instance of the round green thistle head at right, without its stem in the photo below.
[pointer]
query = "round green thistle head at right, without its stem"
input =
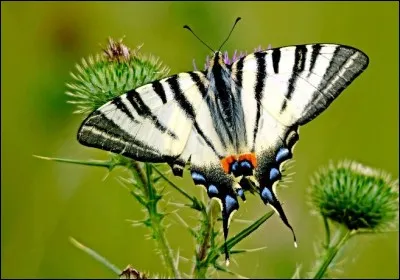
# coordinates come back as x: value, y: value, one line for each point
x: 356, y: 196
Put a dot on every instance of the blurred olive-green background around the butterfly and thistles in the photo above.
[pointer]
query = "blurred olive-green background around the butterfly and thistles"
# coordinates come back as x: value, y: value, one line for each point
x: 43, y: 203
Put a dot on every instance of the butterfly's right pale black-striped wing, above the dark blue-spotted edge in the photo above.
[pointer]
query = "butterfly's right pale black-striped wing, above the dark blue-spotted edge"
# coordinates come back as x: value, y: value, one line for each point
x: 293, y: 85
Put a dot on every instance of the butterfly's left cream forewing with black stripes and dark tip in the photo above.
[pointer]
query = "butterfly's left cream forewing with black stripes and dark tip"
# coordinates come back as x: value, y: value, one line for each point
x: 150, y: 123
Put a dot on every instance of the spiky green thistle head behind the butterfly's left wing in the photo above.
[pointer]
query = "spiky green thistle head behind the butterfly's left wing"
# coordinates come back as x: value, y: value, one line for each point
x: 110, y: 74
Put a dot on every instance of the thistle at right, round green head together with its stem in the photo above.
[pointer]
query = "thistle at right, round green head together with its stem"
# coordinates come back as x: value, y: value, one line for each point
x: 358, y: 199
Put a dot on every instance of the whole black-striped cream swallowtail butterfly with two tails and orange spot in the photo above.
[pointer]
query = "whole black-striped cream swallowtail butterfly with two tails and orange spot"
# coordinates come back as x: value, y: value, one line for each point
x: 236, y: 124
